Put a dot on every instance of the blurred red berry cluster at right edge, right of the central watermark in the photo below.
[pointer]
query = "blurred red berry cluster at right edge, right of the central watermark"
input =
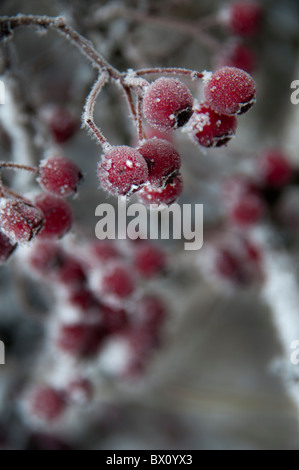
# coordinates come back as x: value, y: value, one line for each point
x: 248, y: 199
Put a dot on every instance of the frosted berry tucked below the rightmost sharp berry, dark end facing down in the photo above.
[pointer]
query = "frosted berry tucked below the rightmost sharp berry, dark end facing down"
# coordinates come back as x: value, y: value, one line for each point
x: 210, y: 129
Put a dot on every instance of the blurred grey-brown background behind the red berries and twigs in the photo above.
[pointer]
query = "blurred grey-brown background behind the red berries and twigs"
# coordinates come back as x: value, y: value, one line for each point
x: 217, y: 380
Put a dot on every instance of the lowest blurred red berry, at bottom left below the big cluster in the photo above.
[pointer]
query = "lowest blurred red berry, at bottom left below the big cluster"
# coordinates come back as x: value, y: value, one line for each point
x: 47, y: 403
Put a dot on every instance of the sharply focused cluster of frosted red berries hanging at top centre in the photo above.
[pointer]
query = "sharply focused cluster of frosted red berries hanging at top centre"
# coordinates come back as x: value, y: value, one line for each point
x: 153, y: 169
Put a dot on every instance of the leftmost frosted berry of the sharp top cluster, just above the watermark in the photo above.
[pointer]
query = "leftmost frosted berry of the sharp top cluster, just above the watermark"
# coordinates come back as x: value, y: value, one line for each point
x: 122, y: 171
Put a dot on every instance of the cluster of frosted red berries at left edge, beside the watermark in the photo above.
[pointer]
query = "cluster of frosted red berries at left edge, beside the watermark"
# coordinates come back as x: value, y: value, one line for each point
x: 49, y: 215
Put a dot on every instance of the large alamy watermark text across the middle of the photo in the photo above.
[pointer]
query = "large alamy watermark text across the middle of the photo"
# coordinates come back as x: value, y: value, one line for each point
x: 135, y: 221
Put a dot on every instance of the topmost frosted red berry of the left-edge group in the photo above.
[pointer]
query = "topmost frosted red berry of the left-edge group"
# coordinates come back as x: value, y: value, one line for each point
x: 59, y: 176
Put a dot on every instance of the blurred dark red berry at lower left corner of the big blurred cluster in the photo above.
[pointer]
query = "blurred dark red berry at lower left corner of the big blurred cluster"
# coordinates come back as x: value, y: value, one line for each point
x: 80, y: 340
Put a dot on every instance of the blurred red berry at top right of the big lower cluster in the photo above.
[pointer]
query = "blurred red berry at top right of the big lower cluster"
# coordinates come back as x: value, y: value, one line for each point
x: 149, y: 260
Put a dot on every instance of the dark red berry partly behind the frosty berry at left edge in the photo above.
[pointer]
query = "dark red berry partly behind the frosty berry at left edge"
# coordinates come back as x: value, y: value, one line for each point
x: 57, y: 213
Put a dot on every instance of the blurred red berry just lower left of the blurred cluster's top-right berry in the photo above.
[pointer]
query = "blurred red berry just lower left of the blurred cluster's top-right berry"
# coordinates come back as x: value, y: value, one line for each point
x: 118, y: 281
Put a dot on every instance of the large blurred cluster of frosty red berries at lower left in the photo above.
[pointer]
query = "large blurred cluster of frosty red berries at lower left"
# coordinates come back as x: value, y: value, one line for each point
x: 98, y: 300
